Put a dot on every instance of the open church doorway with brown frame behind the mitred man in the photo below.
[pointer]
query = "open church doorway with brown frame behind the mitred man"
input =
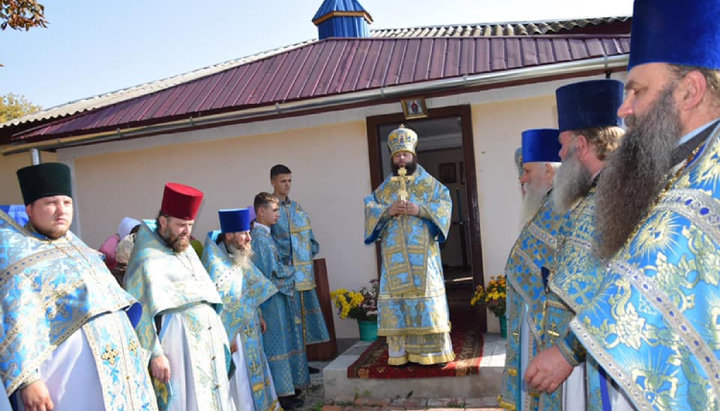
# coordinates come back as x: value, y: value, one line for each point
x: 445, y: 150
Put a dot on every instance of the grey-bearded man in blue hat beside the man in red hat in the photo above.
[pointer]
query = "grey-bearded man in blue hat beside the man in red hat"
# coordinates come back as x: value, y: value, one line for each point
x: 226, y: 256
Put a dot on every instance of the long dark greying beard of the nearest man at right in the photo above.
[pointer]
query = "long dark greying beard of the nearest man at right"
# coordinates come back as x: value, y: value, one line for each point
x: 636, y: 172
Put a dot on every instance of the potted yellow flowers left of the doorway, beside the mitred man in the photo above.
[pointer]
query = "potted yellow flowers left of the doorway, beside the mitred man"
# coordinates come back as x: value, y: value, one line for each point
x: 360, y: 305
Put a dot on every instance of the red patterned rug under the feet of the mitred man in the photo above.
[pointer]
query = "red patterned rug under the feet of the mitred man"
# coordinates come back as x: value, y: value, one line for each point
x: 467, y: 345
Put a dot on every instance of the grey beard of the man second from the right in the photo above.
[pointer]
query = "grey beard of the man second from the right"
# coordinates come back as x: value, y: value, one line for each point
x: 571, y: 182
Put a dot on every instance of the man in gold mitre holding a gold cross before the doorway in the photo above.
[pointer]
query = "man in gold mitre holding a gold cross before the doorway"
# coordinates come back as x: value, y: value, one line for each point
x: 409, y: 214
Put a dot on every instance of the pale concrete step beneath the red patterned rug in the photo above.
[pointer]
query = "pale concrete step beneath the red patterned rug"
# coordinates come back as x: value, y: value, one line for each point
x: 341, y: 389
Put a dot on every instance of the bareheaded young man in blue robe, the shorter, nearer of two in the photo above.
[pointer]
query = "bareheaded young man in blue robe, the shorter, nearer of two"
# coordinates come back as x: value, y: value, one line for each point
x: 283, y: 342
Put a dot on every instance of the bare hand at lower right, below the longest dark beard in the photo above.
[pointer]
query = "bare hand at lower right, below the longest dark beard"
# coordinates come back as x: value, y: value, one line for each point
x: 547, y: 370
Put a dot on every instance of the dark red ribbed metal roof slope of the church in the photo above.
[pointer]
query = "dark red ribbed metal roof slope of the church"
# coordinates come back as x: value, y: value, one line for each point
x: 329, y: 67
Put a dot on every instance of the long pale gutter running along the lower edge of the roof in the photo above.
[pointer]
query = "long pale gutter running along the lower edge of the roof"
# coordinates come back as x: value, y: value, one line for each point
x: 466, y: 81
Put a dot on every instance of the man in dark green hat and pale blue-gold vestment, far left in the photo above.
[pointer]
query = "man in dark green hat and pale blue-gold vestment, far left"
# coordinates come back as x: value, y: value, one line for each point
x: 67, y: 341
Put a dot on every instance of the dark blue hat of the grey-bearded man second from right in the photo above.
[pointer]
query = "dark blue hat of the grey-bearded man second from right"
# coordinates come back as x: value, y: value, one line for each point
x: 587, y: 104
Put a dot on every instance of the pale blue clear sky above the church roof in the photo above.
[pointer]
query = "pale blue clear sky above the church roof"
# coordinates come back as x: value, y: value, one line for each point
x: 92, y: 47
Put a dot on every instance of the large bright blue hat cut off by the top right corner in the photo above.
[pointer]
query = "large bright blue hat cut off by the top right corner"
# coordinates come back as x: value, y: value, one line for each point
x: 675, y: 32
